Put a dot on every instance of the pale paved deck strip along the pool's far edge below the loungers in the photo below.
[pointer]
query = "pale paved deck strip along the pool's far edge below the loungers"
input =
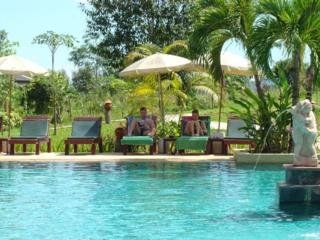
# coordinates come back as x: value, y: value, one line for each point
x: 114, y: 157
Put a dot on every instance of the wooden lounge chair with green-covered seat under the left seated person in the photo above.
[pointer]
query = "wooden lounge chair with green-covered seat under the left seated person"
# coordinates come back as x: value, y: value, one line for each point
x: 128, y: 141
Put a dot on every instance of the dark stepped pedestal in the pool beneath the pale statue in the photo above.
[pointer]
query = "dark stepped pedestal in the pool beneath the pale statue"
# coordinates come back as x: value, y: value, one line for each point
x: 302, y: 185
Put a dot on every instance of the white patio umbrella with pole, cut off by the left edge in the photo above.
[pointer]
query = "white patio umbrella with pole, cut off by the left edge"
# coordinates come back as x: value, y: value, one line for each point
x: 16, y: 66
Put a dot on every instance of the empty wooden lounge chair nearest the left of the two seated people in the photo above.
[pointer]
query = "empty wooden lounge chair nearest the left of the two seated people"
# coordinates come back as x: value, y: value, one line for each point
x: 85, y: 130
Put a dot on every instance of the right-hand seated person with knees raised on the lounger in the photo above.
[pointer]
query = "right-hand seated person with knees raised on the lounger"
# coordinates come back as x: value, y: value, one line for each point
x: 195, y: 127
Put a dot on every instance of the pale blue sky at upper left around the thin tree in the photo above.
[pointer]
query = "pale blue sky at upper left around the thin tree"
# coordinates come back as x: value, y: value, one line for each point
x: 24, y: 19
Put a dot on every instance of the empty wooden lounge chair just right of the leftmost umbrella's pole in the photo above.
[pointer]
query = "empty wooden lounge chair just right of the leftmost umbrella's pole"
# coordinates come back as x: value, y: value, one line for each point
x: 34, y: 130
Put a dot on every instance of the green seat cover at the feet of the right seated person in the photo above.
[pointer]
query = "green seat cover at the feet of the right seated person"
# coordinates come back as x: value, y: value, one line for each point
x: 192, y: 143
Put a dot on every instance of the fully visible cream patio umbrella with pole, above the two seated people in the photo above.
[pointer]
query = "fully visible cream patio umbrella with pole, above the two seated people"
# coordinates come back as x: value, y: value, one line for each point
x: 158, y: 63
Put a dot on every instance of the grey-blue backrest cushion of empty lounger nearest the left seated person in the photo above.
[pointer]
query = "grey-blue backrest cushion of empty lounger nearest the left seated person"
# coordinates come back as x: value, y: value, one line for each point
x: 85, y: 129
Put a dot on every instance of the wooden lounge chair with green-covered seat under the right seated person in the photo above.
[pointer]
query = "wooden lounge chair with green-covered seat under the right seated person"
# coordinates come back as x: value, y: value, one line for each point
x: 199, y: 143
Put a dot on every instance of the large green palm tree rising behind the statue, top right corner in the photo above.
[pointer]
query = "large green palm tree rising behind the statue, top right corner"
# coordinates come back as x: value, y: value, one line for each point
x: 294, y: 24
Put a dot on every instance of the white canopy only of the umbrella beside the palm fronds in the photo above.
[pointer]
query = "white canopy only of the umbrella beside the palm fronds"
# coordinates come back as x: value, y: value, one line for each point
x: 235, y: 65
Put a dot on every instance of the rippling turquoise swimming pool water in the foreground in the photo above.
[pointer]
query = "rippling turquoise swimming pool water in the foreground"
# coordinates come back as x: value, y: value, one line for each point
x: 148, y: 201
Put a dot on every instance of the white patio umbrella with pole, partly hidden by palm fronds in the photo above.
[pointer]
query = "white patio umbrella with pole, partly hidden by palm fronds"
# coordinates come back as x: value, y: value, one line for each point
x: 234, y: 65
